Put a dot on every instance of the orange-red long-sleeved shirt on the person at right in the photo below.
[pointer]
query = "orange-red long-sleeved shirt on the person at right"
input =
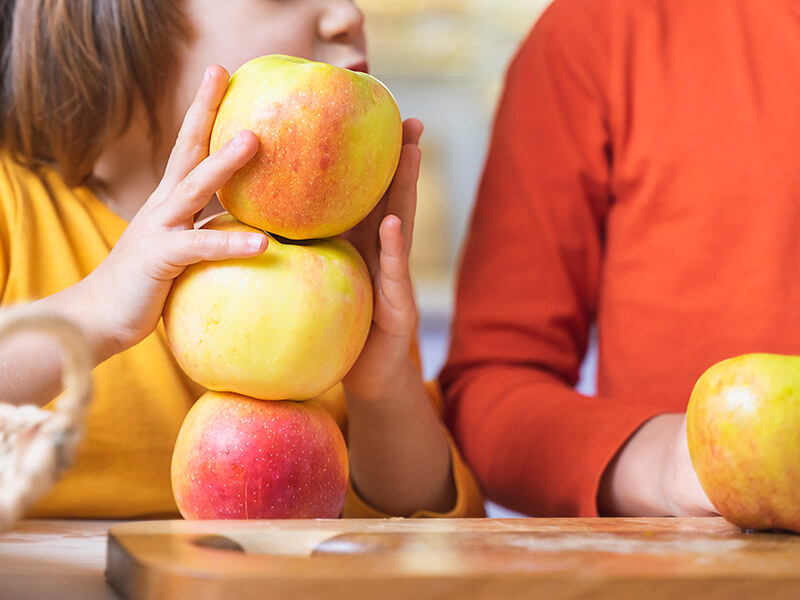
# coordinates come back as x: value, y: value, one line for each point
x: 643, y: 175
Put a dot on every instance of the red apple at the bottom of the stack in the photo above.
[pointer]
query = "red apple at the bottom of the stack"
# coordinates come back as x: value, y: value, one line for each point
x: 241, y: 458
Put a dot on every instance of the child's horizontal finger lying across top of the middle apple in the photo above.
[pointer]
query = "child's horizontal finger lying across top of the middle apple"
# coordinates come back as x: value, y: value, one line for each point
x: 194, y: 245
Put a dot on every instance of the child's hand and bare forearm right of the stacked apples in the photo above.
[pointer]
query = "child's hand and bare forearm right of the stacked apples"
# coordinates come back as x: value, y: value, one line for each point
x: 399, y: 453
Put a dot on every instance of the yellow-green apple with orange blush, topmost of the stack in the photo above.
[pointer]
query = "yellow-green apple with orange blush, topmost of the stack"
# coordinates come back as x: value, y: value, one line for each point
x: 329, y: 144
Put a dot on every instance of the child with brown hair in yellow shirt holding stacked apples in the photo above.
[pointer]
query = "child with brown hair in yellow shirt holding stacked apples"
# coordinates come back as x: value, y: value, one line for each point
x: 97, y: 217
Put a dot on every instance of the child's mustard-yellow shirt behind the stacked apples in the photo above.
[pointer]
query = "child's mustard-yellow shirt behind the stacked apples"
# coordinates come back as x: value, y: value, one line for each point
x: 51, y: 237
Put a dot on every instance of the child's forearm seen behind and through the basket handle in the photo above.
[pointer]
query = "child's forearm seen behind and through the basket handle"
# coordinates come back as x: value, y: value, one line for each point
x: 31, y: 363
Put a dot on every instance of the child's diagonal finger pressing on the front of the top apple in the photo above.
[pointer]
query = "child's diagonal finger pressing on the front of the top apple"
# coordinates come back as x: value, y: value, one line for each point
x: 195, y: 190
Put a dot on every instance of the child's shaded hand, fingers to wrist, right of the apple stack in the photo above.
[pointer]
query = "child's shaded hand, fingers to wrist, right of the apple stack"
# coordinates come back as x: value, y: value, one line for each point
x: 384, y: 240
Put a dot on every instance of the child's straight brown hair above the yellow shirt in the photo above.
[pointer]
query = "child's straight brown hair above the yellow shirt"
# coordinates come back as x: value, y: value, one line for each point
x: 71, y: 72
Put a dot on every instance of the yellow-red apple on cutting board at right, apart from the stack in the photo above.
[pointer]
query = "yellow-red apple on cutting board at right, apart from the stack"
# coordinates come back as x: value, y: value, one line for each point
x: 743, y: 430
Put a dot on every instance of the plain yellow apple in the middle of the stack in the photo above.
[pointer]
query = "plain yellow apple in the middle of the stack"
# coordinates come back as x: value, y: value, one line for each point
x: 285, y: 325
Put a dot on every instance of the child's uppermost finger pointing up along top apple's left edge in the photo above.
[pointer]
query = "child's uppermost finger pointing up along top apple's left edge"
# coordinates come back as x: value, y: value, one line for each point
x: 191, y: 145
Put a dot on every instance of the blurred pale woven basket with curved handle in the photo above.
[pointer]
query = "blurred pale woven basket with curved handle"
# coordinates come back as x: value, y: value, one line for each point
x: 37, y: 445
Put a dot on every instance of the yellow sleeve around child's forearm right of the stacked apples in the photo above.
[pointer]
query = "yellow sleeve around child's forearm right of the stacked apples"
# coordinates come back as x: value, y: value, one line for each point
x: 469, y: 500
